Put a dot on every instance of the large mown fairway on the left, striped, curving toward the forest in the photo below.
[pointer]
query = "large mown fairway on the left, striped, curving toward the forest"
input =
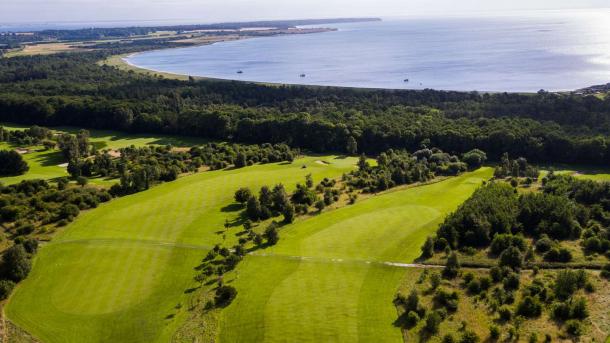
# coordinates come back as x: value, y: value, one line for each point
x: 118, y: 272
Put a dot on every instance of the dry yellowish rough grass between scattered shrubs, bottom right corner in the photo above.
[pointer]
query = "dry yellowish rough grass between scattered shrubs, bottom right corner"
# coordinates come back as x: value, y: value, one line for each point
x: 477, y: 316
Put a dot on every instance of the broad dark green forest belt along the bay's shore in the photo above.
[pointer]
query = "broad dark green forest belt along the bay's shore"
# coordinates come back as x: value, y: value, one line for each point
x: 73, y: 89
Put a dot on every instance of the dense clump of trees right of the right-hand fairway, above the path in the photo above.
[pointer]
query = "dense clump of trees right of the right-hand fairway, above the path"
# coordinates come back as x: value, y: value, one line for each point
x: 499, y: 218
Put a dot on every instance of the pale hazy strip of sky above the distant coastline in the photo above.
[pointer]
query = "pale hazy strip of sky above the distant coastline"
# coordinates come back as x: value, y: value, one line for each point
x: 207, y: 11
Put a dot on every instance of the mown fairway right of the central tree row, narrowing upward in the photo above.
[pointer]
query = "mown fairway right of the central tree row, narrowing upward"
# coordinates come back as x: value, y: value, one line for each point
x: 326, y: 281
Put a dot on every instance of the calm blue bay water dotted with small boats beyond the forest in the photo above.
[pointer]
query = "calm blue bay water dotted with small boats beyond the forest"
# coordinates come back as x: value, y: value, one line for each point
x: 517, y: 52
